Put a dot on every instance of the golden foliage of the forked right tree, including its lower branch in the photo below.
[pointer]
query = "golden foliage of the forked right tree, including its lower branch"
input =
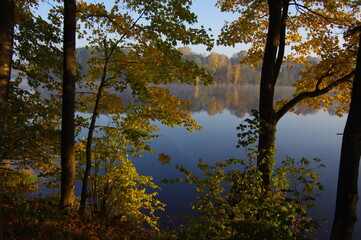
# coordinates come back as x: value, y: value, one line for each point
x: 317, y: 28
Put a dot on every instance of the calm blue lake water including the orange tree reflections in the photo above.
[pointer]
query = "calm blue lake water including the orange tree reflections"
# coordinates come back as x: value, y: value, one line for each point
x: 220, y: 110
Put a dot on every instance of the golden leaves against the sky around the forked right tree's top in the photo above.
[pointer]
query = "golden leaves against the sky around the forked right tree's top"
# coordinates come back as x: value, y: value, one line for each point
x: 315, y: 19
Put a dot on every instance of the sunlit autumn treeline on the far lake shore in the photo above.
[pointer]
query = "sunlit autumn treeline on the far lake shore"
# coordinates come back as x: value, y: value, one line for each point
x: 225, y: 70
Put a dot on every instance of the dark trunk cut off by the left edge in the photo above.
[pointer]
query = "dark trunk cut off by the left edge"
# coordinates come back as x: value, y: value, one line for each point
x: 6, y: 50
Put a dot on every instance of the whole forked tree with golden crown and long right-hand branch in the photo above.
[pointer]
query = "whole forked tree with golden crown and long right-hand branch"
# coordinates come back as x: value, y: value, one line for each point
x: 273, y: 27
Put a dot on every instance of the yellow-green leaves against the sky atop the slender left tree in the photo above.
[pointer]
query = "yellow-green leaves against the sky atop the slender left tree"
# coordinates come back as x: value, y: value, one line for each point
x: 142, y: 21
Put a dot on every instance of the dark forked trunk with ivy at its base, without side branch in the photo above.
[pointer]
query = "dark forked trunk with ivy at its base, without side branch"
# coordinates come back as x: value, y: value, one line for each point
x: 266, y: 144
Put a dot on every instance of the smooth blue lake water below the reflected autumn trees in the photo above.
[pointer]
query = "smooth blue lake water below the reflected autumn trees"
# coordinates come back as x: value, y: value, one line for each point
x: 309, y: 136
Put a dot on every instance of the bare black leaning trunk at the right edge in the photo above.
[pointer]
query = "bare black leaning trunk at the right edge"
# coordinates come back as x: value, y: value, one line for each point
x: 347, y: 189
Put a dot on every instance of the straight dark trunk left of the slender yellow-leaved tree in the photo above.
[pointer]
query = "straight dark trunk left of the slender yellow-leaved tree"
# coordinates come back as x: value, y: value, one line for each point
x: 68, y: 108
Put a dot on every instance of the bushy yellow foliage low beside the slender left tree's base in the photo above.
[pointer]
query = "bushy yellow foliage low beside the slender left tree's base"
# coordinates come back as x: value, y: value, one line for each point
x: 117, y: 191
